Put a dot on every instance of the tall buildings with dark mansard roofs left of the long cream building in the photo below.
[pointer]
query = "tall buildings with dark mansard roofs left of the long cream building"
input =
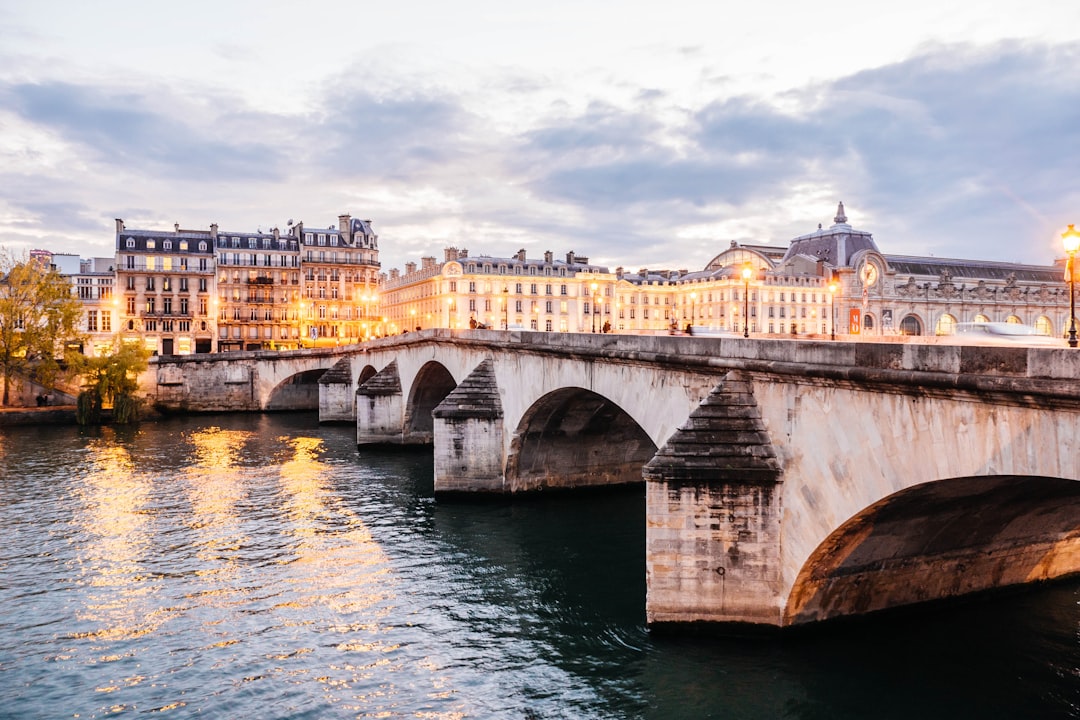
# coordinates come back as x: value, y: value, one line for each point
x: 210, y: 291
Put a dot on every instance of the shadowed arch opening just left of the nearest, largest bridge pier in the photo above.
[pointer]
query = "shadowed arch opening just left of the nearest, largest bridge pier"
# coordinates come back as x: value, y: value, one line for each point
x: 574, y: 438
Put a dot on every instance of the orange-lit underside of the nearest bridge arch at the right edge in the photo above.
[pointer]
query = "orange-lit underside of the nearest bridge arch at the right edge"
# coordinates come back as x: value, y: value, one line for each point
x: 942, y: 540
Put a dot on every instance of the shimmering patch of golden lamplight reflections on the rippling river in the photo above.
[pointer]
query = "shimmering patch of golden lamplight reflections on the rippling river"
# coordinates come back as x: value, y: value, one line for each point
x: 331, y: 576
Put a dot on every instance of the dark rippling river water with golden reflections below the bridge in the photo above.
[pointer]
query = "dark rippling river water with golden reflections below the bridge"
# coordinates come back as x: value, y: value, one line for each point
x: 261, y: 567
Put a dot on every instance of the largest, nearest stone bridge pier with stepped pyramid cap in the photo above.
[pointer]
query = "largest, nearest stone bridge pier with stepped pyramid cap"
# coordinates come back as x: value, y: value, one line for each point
x: 713, y: 517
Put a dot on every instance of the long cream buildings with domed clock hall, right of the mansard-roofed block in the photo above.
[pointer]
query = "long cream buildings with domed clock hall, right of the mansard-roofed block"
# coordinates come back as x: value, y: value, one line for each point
x: 833, y: 281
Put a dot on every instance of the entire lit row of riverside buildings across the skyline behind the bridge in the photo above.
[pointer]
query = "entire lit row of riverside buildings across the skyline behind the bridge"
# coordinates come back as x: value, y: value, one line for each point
x: 208, y: 291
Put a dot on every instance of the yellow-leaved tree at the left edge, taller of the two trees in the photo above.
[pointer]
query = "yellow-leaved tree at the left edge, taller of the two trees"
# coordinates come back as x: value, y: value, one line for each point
x: 39, y: 319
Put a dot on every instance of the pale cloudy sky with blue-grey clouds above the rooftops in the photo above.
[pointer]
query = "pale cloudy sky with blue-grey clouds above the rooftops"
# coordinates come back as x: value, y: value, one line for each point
x: 641, y: 134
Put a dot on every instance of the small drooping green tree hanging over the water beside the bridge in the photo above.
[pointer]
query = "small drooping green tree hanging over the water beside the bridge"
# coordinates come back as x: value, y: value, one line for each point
x: 112, y: 379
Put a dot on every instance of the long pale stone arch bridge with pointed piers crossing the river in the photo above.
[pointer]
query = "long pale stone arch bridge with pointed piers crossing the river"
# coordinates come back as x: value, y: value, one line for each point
x: 787, y: 482
